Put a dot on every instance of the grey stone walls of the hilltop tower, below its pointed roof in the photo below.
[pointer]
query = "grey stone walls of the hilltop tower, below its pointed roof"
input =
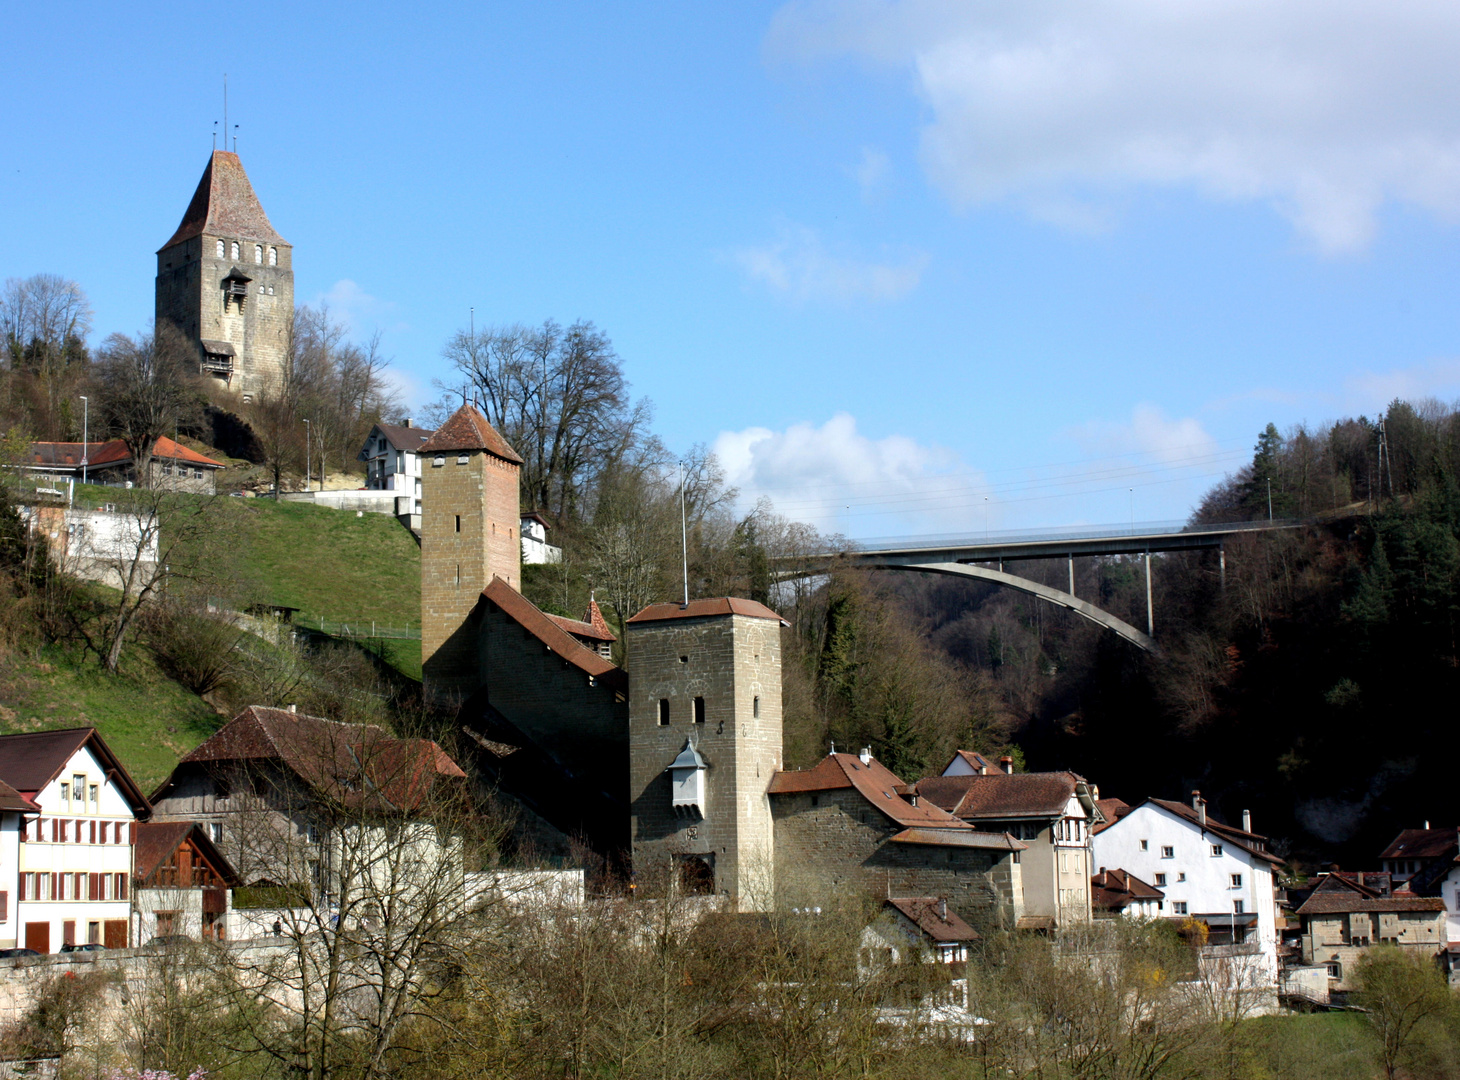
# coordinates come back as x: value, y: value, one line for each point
x: 191, y: 297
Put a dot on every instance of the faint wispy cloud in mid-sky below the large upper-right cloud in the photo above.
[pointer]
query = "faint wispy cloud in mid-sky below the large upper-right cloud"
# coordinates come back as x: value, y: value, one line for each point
x: 799, y: 268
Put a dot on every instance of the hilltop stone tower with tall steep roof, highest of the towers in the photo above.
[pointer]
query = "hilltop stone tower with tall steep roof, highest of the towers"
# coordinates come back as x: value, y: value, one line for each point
x: 226, y: 282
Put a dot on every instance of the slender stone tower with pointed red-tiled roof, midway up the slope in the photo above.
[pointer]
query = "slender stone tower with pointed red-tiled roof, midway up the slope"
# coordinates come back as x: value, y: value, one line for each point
x: 469, y: 535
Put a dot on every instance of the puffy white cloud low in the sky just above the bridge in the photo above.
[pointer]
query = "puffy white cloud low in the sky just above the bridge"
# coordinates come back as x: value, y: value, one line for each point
x: 840, y: 481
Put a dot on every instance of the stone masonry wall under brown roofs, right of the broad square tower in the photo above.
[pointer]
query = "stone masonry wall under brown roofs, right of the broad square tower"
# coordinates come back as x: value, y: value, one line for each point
x: 831, y: 841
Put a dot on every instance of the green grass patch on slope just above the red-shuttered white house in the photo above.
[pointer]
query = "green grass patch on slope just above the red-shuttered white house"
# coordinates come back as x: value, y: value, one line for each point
x: 147, y: 719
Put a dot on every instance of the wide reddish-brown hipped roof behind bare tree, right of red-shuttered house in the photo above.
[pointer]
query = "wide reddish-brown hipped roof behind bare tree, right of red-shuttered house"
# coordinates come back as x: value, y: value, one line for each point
x: 338, y: 760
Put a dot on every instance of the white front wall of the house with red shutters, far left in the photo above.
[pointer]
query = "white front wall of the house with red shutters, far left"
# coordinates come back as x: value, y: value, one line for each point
x: 77, y: 837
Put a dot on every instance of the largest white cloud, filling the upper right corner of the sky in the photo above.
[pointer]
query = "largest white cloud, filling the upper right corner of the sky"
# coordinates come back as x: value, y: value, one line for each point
x: 1325, y: 109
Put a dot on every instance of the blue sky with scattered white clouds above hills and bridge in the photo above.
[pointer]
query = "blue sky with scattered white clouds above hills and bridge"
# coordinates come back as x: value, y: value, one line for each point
x: 910, y: 268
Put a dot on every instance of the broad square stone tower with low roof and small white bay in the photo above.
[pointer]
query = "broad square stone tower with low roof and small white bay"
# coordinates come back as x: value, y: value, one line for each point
x: 704, y: 742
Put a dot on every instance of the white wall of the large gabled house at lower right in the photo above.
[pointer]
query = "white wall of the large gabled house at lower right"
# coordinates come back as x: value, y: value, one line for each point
x: 1194, y: 875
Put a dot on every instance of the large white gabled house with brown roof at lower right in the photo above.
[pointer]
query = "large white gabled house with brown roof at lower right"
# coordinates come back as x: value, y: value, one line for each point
x: 1207, y: 871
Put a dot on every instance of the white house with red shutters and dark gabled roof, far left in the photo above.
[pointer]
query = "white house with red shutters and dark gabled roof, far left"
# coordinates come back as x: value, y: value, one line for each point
x: 75, y: 855
